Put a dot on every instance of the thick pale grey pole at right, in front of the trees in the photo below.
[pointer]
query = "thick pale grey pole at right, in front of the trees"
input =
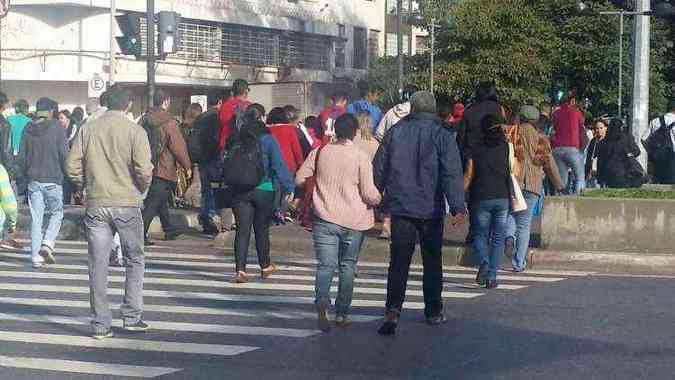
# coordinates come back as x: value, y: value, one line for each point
x: 640, y: 109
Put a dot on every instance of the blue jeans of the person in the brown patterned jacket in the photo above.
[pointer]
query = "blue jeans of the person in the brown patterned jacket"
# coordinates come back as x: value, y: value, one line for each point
x: 518, y: 228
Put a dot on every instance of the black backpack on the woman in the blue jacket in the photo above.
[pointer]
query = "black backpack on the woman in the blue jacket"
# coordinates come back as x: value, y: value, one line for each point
x: 243, y: 166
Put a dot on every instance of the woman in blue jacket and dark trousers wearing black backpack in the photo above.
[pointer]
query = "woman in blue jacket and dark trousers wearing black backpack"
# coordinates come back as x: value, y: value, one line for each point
x: 252, y: 163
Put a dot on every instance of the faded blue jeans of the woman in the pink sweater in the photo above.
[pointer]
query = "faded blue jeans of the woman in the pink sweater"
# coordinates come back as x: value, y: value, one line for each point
x: 335, y: 247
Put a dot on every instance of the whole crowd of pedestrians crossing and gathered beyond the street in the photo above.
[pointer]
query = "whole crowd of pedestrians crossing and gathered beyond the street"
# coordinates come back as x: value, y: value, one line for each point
x: 336, y: 174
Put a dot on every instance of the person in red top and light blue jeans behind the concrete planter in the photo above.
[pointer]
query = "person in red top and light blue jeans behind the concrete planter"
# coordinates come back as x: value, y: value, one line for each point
x: 569, y: 142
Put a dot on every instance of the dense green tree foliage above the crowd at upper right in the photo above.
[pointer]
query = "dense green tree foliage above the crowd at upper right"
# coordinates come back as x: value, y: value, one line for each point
x: 523, y: 44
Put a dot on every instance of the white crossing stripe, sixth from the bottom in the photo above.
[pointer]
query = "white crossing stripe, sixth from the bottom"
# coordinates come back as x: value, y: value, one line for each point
x: 209, y: 283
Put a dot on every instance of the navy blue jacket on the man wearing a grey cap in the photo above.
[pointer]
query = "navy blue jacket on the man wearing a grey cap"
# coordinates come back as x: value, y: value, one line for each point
x: 418, y: 168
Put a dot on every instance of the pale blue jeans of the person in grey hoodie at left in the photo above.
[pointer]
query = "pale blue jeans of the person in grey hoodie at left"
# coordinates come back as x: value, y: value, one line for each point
x: 44, y: 199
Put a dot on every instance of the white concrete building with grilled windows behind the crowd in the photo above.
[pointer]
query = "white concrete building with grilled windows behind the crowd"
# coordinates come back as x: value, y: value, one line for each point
x: 295, y: 51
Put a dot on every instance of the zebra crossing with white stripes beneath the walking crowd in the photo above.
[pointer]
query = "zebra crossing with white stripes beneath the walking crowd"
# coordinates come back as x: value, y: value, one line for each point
x: 194, y: 311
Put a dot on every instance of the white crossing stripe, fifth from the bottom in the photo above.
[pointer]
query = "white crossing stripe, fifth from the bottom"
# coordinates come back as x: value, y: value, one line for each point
x: 218, y: 297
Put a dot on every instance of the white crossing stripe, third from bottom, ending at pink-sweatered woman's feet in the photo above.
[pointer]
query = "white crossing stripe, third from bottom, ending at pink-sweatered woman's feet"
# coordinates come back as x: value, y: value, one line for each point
x: 172, y: 326
